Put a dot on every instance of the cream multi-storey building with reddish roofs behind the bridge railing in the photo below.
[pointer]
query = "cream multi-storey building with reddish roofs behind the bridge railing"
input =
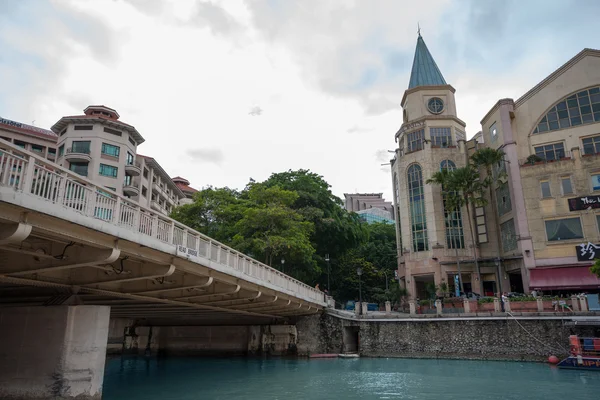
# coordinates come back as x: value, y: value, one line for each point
x: 101, y: 147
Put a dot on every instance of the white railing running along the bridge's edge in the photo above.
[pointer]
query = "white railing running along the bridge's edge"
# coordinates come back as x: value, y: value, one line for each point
x: 32, y: 175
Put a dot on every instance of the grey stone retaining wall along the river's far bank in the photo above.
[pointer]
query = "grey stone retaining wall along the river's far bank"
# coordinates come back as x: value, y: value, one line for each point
x: 504, y: 338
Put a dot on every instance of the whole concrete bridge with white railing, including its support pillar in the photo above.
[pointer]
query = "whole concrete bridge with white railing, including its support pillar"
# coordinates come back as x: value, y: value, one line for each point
x: 73, y: 253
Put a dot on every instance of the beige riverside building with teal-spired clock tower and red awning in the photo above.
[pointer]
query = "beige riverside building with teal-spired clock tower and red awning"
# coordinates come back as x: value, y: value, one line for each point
x: 544, y: 229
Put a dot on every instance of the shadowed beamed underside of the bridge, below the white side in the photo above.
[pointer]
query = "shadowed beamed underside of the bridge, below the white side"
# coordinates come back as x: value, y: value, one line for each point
x: 47, y: 261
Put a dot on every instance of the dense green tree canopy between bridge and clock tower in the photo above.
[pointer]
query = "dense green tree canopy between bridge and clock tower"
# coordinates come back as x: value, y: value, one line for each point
x: 294, y: 216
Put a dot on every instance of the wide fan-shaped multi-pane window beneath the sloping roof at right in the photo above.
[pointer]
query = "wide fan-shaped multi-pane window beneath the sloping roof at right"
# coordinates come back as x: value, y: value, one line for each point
x: 578, y: 109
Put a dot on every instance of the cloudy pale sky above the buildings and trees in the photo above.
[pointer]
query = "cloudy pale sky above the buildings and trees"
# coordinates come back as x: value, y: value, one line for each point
x: 225, y: 91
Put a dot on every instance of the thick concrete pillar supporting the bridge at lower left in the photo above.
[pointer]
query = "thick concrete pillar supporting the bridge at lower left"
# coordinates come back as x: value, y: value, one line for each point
x: 53, y: 352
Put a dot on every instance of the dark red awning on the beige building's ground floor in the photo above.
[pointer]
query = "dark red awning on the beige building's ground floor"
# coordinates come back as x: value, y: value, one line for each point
x: 563, y: 278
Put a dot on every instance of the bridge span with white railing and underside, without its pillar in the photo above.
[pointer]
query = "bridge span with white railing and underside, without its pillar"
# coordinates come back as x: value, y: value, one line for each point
x: 65, y: 240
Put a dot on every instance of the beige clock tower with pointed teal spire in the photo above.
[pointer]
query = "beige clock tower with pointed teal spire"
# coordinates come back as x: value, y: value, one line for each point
x: 431, y: 137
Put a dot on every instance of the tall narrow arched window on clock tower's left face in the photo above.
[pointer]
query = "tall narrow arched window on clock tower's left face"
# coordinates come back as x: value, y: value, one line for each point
x: 416, y: 199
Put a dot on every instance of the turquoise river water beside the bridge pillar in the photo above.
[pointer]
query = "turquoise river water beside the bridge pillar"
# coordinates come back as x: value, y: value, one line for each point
x: 346, y: 379
